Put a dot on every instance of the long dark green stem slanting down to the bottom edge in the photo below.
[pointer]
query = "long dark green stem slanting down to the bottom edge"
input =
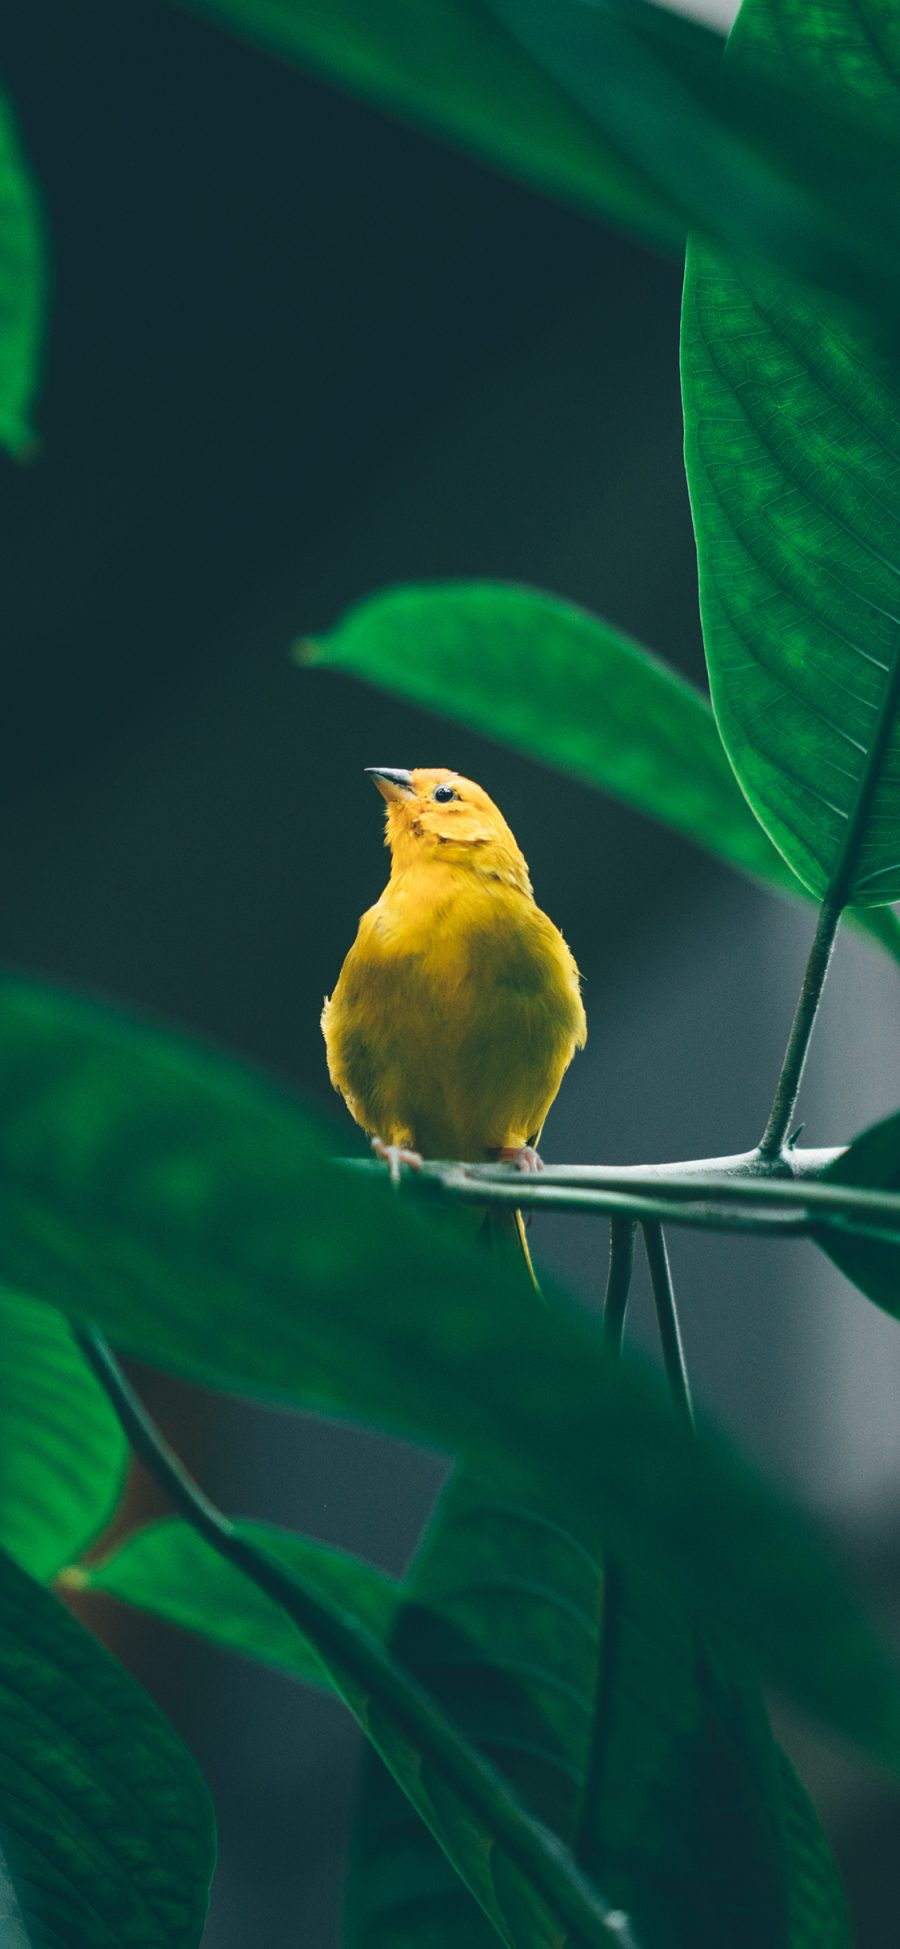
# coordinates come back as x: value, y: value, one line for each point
x: 352, y: 1650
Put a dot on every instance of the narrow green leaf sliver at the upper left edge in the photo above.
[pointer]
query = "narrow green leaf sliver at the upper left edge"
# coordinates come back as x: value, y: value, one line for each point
x: 22, y: 289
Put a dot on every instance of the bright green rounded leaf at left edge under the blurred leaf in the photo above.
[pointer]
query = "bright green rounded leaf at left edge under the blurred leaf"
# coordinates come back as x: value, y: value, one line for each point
x: 61, y: 1447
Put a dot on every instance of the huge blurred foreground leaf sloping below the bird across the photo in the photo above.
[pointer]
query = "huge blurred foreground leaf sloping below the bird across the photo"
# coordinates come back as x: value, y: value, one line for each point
x: 190, y: 1211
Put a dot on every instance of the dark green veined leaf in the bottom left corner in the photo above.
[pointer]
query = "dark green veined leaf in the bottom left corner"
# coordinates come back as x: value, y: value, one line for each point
x: 106, y: 1823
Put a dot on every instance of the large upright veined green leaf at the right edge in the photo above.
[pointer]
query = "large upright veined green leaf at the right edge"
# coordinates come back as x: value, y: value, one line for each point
x: 794, y: 447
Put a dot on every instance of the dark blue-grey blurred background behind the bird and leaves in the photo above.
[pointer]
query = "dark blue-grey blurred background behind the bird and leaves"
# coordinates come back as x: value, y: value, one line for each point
x: 297, y: 354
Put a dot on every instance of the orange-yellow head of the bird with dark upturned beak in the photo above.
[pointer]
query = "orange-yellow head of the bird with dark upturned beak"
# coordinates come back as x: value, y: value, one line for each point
x: 447, y: 820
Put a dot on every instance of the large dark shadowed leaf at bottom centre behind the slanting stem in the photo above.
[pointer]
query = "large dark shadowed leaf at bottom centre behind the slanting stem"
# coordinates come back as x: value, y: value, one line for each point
x: 607, y: 1722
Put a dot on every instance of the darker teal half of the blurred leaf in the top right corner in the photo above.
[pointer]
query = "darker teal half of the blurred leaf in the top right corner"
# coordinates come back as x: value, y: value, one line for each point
x: 759, y: 159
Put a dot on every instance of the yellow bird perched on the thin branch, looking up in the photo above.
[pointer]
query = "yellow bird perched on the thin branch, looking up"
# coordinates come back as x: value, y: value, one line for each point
x: 459, y: 1007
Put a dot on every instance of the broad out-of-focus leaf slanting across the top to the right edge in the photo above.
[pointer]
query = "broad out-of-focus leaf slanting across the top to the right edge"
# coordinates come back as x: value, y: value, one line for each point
x: 622, y: 108
